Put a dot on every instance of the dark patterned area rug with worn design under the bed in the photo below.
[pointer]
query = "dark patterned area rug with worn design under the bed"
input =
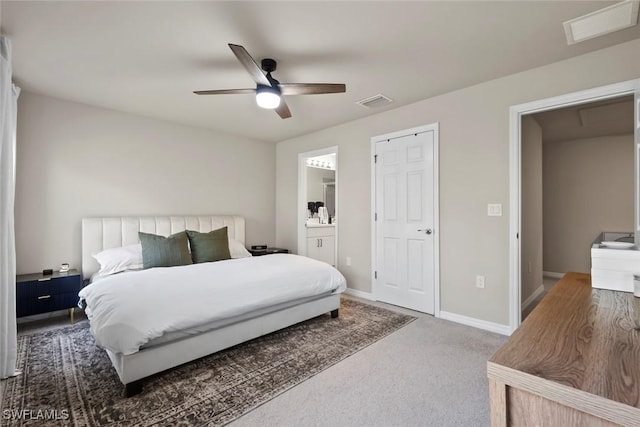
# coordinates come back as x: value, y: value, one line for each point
x: 68, y: 380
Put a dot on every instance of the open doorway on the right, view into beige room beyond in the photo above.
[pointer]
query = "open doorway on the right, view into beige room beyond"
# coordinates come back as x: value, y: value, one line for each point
x: 576, y: 182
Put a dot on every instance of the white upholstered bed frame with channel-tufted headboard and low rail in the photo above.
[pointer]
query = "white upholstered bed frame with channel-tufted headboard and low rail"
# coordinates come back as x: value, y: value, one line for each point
x: 104, y: 233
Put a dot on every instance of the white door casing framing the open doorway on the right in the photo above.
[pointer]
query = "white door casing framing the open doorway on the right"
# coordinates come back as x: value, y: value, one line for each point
x: 517, y: 112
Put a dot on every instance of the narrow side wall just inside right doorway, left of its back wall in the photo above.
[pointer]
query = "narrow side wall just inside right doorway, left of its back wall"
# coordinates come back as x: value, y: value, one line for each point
x: 531, y: 212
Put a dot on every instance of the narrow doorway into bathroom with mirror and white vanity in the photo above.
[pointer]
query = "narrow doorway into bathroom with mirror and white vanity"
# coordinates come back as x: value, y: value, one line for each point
x: 318, y: 207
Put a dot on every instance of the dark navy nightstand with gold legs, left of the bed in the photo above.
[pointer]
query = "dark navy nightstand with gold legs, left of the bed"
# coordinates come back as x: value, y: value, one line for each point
x: 37, y: 293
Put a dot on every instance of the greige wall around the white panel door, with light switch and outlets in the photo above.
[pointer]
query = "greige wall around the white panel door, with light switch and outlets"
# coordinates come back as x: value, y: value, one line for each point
x: 474, y: 171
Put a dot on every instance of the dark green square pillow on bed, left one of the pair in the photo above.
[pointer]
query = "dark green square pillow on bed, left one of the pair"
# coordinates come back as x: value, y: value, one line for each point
x: 160, y: 251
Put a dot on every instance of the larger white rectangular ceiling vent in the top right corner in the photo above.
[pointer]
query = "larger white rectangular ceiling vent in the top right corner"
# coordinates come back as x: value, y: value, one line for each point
x: 604, y: 21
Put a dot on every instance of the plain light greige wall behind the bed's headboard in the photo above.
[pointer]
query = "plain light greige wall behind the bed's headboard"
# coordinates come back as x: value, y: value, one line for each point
x: 74, y: 160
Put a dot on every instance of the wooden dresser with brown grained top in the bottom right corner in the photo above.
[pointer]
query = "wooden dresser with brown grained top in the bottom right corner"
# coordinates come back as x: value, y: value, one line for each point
x: 575, y: 361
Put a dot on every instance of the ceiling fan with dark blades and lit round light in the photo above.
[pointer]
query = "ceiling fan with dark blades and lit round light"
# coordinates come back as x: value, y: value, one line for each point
x: 269, y: 91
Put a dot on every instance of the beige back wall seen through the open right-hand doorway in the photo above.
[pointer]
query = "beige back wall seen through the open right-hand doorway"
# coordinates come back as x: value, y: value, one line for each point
x: 588, y: 188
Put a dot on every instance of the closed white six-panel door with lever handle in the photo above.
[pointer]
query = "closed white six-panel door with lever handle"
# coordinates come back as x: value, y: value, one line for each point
x: 404, y: 221
